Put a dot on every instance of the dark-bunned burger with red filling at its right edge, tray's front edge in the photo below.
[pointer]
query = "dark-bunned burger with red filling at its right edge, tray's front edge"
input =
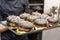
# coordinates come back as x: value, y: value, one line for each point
x: 40, y: 24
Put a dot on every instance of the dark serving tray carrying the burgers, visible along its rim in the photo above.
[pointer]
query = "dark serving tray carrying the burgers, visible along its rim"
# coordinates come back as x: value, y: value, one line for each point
x: 35, y: 31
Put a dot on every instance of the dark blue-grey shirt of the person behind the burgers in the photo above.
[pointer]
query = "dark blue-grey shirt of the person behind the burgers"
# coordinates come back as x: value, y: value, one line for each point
x: 16, y: 7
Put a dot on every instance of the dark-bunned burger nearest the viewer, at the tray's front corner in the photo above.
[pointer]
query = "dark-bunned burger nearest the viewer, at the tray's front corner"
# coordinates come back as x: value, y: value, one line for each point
x: 25, y: 26
